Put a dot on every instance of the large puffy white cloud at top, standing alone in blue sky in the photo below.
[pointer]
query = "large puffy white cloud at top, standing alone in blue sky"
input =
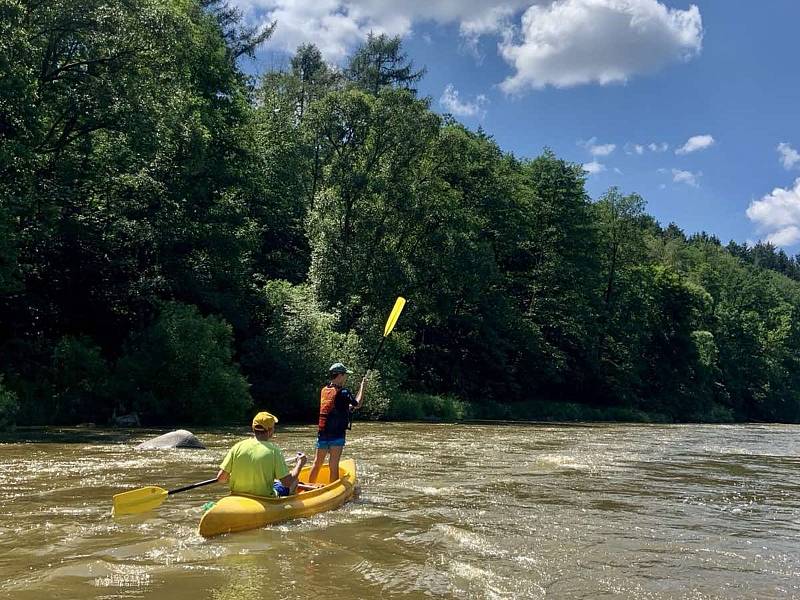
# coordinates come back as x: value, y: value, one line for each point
x: 574, y: 42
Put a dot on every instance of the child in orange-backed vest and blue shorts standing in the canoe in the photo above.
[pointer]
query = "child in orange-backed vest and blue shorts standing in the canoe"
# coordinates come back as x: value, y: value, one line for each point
x: 335, y: 405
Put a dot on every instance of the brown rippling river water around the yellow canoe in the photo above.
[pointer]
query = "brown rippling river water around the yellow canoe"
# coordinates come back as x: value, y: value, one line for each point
x: 451, y: 511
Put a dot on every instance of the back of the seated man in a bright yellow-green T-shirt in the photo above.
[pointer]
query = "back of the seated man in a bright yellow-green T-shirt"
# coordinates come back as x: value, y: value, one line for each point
x: 254, y: 466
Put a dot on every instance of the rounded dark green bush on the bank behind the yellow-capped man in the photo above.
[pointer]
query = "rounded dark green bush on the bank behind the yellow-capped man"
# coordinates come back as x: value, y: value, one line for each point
x: 181, y: 370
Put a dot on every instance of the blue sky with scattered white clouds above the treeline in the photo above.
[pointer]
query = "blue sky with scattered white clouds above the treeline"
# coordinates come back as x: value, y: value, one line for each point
x: 694, y: 106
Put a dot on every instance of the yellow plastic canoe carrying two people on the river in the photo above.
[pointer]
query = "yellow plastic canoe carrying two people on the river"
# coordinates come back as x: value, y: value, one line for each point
x: 239, y: 513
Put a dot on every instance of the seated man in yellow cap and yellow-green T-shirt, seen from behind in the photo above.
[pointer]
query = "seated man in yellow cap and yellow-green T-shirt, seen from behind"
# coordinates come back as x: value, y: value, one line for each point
x: 253, y: 465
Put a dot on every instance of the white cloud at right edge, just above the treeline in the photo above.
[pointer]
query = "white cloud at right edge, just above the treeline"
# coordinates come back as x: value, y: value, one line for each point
x: 778, y: 215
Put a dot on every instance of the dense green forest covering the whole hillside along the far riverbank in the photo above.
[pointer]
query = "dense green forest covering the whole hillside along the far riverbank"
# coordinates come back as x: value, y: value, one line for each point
x: 184, y: 241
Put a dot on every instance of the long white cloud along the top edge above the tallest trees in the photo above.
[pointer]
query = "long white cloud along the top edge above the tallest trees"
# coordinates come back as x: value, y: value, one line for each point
x: 335, y: 26
